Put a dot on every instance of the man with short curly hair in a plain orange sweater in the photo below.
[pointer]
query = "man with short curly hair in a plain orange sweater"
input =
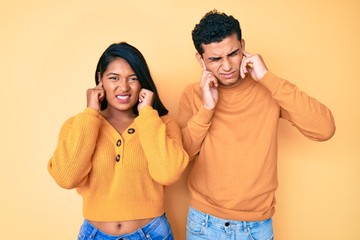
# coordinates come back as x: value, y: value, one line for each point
x: 229, y: 123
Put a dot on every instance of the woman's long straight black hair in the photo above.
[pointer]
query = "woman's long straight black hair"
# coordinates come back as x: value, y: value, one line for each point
x: 137, y: 62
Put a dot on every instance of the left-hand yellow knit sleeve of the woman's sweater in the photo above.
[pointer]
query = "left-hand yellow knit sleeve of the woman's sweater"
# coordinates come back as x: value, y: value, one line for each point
x: 71, y: 160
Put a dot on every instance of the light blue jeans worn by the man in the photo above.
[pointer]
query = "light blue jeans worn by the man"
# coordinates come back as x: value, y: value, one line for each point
x: 204, y: 226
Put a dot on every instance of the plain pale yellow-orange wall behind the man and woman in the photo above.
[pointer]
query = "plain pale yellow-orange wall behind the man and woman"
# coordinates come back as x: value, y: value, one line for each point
x: 48, y: 53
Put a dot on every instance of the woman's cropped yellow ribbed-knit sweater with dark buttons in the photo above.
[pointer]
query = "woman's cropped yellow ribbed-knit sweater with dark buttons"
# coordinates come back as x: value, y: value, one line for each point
x: 120, y: 177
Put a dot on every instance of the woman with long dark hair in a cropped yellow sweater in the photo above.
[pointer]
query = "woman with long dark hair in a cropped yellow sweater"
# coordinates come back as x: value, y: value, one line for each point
x: 121, y: 151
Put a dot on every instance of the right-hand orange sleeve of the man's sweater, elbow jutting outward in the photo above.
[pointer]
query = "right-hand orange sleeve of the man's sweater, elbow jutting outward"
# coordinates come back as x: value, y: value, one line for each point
x: 309, y: 116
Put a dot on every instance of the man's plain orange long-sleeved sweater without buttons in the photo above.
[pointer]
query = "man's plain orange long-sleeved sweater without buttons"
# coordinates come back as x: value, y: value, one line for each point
x: 235, y: 145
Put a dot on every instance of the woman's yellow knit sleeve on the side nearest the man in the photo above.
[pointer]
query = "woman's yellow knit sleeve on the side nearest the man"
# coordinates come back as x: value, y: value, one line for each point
x: 161, y: 141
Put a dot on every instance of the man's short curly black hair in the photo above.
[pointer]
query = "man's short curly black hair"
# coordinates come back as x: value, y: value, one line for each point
x: 214, y: 27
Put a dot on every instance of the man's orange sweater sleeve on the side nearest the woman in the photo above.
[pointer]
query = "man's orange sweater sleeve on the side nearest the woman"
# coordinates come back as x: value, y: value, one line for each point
x: 194, y: 120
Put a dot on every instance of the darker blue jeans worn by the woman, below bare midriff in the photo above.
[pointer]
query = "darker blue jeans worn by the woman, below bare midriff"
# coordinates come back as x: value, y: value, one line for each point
x: 158, y: 229
